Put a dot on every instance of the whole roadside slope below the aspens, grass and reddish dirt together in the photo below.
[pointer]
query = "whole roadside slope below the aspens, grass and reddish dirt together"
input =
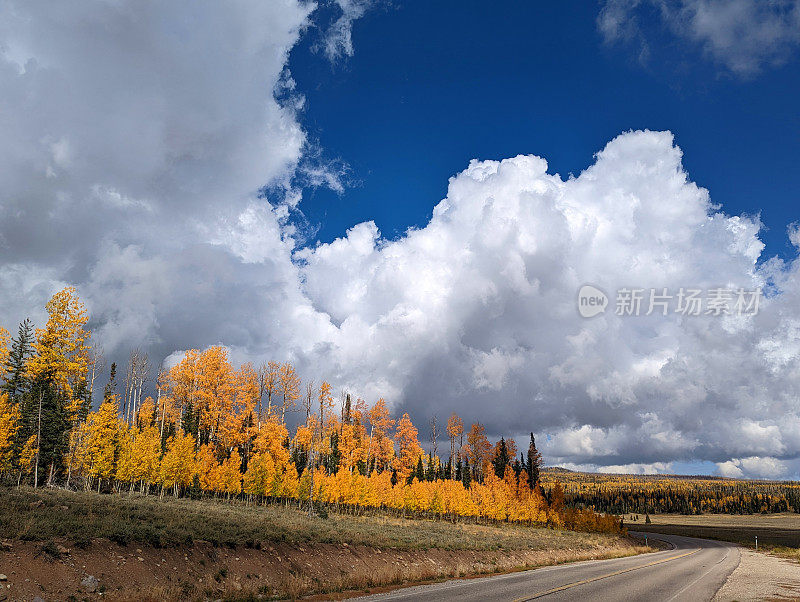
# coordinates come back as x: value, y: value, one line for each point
x: 181, y: 549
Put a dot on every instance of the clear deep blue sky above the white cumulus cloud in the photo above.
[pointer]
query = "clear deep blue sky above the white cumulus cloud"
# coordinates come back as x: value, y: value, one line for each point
x: 432, y: 85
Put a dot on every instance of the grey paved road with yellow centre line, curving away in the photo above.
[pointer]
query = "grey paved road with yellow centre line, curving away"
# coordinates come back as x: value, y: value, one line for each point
x: 694, y: 570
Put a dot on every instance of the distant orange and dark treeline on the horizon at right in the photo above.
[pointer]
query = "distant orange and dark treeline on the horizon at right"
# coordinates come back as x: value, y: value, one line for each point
x: 623, y: 494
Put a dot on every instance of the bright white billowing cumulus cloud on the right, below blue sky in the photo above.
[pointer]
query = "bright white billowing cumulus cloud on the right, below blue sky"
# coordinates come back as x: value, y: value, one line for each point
x: 478, y: 311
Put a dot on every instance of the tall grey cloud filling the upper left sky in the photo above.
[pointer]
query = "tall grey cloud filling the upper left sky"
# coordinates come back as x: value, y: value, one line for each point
x: 135, y: 138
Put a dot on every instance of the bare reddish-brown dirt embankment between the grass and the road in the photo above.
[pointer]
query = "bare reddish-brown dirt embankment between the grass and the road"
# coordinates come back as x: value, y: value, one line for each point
x: 107, y: 570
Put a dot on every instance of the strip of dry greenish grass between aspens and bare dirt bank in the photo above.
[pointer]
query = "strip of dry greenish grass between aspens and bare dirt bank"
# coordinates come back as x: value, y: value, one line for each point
x: 41, y: 515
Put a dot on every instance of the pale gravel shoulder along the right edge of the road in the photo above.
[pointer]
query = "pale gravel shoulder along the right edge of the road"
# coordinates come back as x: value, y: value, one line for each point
x: 761, y: 577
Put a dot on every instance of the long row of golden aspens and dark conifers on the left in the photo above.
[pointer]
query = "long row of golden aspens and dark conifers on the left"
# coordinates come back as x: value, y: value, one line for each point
x: 212, y: 429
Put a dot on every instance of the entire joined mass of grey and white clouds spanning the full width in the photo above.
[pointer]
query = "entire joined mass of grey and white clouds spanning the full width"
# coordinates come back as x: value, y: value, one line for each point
x: 136, y: 138
